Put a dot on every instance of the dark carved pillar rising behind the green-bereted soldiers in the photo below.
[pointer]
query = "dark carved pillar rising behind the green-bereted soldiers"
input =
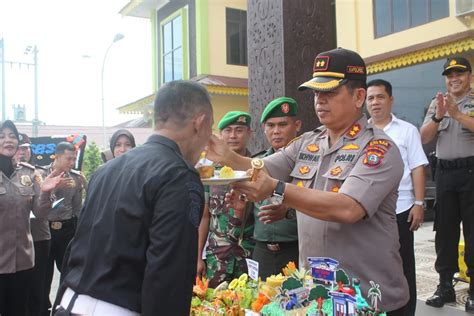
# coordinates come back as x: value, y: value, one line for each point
x: 284, y: 37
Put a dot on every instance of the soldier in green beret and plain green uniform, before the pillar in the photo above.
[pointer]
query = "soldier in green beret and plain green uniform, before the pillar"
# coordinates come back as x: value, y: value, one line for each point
x: 276, y: 232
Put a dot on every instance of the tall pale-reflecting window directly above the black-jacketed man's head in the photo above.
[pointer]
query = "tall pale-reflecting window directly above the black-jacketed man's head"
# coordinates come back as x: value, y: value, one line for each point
x: 172, y: 34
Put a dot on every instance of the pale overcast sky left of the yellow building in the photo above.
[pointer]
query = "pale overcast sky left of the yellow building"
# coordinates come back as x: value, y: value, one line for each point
x: 72, y: 37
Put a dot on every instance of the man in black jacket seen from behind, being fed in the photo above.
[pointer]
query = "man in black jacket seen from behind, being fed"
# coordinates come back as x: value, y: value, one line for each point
x: 135, y: 248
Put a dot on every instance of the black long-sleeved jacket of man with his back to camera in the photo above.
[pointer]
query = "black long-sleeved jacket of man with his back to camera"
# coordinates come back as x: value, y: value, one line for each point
x: 136, y: 240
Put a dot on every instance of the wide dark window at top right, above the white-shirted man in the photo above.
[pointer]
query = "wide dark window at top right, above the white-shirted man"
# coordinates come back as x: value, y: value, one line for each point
x: 392, y: 16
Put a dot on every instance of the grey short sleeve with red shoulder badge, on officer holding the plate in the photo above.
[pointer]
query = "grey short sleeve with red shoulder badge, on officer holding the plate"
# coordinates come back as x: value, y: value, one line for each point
x: 370, y: 183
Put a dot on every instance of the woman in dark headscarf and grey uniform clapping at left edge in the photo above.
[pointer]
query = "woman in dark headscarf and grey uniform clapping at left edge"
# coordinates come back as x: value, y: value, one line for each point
x: 22, y: 190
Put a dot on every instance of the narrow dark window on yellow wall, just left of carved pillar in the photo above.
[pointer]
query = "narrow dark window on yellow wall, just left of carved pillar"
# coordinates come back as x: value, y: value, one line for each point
x: 236, y: 33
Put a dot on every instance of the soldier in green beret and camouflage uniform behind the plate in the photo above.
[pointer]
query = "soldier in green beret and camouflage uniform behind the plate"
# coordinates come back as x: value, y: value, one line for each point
x: 229, y: 233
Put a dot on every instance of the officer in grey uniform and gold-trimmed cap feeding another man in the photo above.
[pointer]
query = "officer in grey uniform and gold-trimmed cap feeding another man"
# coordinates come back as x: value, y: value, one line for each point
x: 343, y: 181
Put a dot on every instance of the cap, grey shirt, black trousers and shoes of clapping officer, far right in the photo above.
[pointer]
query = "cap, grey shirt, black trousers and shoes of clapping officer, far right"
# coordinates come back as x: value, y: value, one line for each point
x: 454, y: 192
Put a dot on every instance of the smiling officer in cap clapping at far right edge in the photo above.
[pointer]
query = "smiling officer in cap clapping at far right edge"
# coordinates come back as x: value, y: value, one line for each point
x: 451, y: 118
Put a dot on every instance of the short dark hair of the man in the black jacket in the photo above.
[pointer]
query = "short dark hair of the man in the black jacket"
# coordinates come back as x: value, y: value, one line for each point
x: 178, y: 101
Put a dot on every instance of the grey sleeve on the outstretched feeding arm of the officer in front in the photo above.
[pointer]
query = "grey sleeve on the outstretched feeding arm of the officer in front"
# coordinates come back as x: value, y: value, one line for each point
x: 282, y: 162
